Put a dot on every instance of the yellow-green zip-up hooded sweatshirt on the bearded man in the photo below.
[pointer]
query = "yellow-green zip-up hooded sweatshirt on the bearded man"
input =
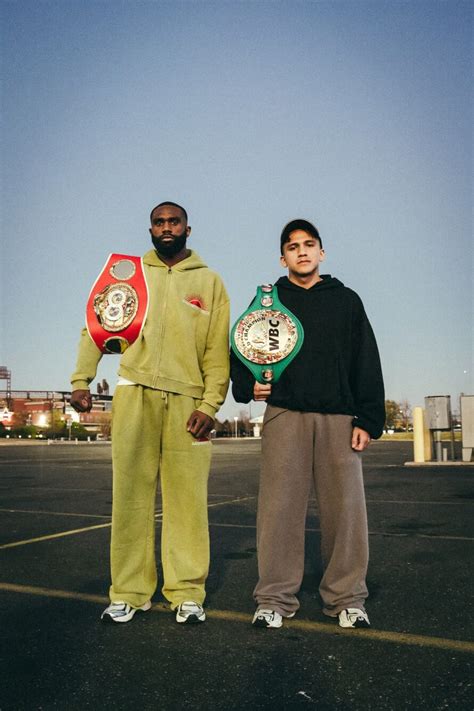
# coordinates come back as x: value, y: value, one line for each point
x: 183, y: 347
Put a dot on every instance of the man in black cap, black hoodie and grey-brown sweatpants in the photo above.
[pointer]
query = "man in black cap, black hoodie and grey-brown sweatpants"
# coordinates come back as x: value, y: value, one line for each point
x: 320, y: 415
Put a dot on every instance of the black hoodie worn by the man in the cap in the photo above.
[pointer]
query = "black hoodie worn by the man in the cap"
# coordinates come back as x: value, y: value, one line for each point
x: 337, y: 370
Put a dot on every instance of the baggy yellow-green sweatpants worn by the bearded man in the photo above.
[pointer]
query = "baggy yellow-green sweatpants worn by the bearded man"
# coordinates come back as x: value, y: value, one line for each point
x: 149, y: 440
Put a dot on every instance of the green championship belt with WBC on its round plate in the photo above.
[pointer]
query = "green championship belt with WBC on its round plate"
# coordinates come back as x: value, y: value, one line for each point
x: 267, y: 336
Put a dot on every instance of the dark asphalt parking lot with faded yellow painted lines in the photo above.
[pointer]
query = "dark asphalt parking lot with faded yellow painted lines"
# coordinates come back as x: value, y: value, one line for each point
x: 55, y: 512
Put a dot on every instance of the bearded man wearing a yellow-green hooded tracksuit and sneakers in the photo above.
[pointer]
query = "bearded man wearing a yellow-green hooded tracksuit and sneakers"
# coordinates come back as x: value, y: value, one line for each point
x: 172, y: 381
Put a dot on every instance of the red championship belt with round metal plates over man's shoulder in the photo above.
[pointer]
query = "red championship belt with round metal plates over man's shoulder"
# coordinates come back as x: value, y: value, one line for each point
x: 117, y: 304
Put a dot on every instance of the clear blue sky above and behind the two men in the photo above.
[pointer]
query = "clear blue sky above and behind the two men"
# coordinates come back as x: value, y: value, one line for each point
x: 355, y: 115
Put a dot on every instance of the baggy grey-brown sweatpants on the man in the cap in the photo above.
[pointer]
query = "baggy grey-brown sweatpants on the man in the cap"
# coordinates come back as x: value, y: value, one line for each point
x: 299, y: 448
